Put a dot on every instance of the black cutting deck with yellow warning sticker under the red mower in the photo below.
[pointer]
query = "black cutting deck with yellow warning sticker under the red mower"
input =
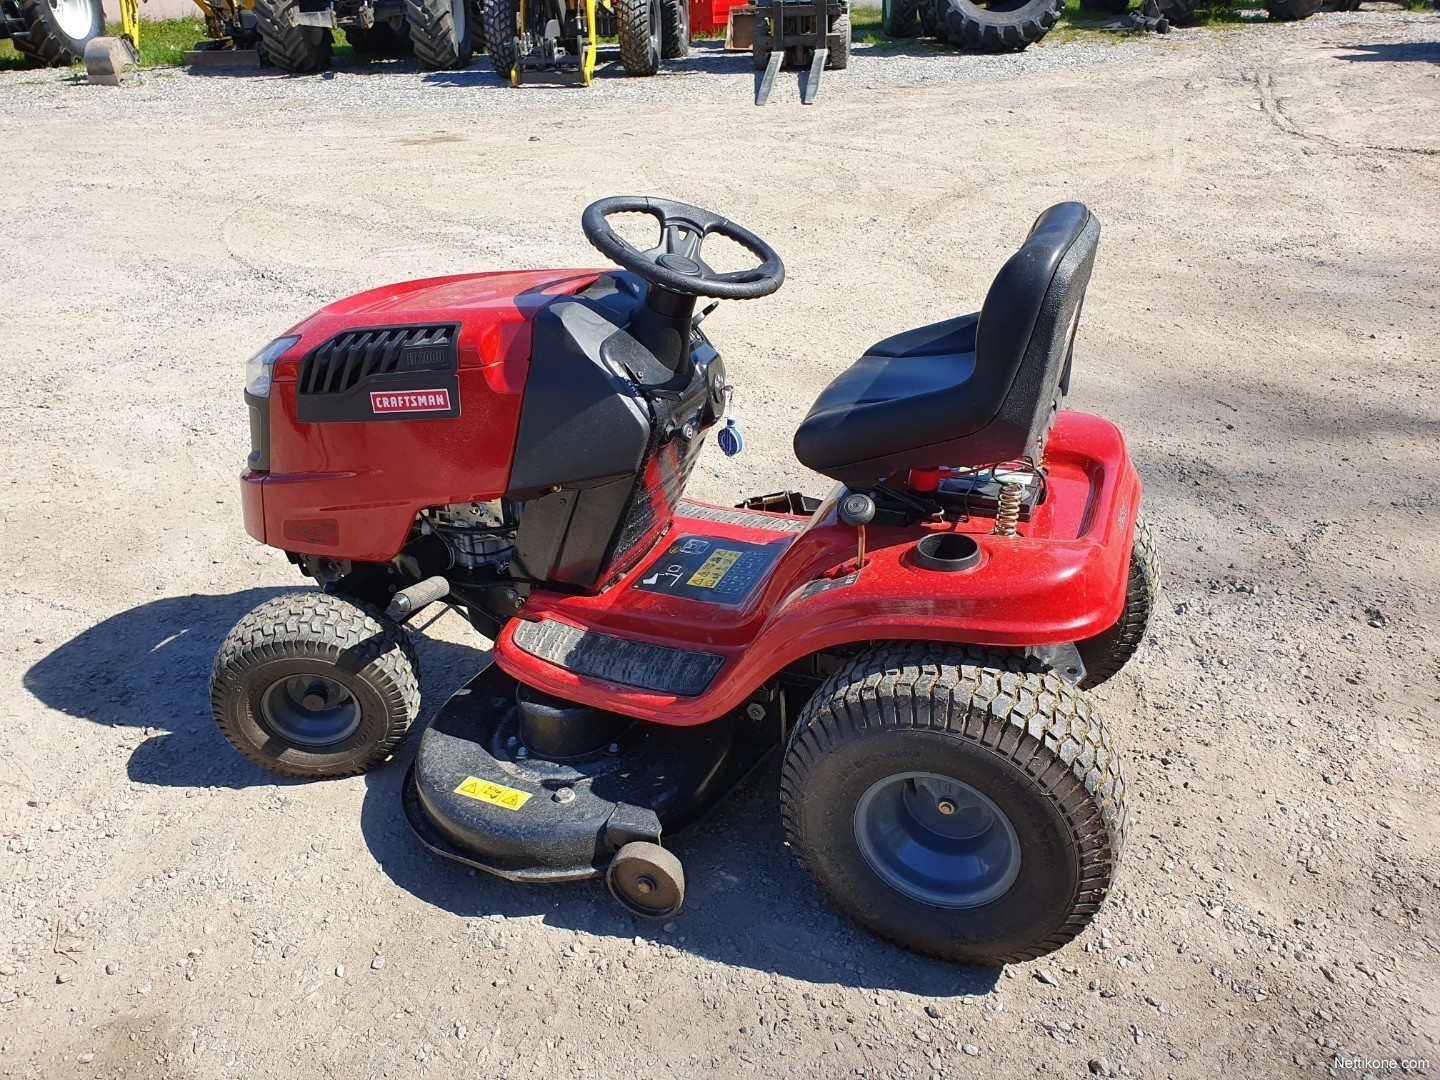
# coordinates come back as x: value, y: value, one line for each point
x: 482, y: 796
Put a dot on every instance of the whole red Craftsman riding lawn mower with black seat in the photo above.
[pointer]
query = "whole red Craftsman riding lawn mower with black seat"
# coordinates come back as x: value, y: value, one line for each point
x: 917, y: 644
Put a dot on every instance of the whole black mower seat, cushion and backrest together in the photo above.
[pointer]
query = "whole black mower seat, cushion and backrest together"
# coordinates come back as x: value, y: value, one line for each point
x: 971, y: 391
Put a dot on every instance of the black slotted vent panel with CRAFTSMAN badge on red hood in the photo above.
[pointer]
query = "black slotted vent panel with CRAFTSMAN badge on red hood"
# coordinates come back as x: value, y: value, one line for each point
x: 381, y: 374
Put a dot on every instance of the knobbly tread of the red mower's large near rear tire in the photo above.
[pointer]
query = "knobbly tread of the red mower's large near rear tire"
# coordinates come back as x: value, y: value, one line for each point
x: 1002, y: 701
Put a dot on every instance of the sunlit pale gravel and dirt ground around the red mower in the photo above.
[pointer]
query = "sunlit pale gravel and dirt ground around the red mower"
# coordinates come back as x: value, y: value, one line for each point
x: 1262, y: 323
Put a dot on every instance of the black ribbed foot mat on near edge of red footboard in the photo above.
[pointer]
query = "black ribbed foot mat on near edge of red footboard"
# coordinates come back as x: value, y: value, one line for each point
x: 618, y: 660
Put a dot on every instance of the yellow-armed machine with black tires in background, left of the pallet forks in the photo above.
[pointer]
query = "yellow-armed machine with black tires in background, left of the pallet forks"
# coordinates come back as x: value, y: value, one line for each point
x: 557, y: 41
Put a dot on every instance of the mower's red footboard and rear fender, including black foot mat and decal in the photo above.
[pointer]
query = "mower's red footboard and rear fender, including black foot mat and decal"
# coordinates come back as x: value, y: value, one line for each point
x: 741, y: 594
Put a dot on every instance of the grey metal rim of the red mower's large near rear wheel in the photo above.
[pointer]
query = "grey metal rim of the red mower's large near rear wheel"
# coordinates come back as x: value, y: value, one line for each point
x: 937, y: 840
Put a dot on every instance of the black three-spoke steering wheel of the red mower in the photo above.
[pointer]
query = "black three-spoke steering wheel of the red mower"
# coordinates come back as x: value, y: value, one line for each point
x: 676, y: 263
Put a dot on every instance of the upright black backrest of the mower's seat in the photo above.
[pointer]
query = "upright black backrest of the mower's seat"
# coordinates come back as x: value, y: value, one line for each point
x: 1027, y: 329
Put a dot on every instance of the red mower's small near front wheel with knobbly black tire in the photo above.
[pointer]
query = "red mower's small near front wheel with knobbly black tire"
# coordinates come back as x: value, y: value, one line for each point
x: 358, y: 663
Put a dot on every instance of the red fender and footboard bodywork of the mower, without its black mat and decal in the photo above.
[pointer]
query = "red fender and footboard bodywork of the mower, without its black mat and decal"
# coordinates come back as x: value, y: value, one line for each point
x: 1062, y: 581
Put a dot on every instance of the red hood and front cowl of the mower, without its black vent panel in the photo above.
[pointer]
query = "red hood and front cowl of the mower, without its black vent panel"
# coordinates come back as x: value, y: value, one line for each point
x: 354, y: 490
